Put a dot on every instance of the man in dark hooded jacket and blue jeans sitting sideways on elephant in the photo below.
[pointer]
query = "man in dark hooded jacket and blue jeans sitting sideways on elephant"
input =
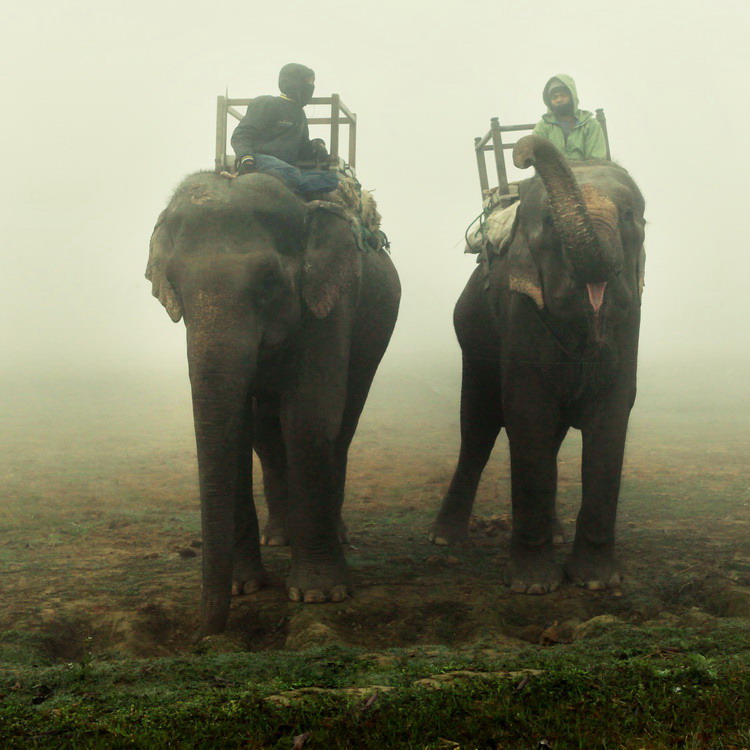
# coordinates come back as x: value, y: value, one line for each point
x: 273, y: 136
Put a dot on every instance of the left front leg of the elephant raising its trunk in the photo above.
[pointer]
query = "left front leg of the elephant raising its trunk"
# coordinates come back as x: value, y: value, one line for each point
x: 534, y: 445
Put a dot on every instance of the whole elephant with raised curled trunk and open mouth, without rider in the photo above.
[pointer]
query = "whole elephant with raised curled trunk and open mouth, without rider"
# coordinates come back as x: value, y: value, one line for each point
x: 548, y: 328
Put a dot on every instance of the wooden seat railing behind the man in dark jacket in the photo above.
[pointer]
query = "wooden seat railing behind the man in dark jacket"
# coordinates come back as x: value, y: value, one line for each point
x: 340, y: 115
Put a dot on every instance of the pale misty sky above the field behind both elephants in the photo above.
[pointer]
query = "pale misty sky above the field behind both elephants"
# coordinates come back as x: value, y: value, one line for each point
x: 108, y: 105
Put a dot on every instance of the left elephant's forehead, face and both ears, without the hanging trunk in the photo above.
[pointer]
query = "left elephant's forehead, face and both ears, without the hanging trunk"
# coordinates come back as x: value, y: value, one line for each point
x: 262, y: 245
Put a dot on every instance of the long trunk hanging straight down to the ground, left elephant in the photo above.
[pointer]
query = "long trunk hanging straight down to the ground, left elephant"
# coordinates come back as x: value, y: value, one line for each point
x: 222, y: 370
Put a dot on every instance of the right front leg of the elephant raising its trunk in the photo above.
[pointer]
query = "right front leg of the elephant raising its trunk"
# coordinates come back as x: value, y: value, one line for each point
x: 592, y: 562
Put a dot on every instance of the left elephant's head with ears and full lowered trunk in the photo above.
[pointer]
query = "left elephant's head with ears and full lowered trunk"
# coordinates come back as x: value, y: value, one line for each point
x: 244, y: 262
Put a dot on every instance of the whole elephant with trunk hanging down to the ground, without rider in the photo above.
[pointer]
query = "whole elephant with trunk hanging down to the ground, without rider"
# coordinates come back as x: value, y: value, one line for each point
x: 287, y: 319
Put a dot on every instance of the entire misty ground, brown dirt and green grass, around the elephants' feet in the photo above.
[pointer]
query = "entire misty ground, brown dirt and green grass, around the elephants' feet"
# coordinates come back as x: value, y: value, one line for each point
x: 100, y: 558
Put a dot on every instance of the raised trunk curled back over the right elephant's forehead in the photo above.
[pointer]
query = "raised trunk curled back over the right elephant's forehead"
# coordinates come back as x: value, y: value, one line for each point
x: 581, y: 240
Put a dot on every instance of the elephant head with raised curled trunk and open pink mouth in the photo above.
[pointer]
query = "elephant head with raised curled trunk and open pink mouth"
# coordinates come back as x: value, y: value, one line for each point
x: 577, y: 244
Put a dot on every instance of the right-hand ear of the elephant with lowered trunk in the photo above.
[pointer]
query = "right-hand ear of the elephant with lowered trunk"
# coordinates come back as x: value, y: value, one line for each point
x: 332, y: 264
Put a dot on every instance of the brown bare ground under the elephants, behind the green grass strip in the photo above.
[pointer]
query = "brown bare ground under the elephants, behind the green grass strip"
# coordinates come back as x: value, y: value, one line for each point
x: 100, y: 541
